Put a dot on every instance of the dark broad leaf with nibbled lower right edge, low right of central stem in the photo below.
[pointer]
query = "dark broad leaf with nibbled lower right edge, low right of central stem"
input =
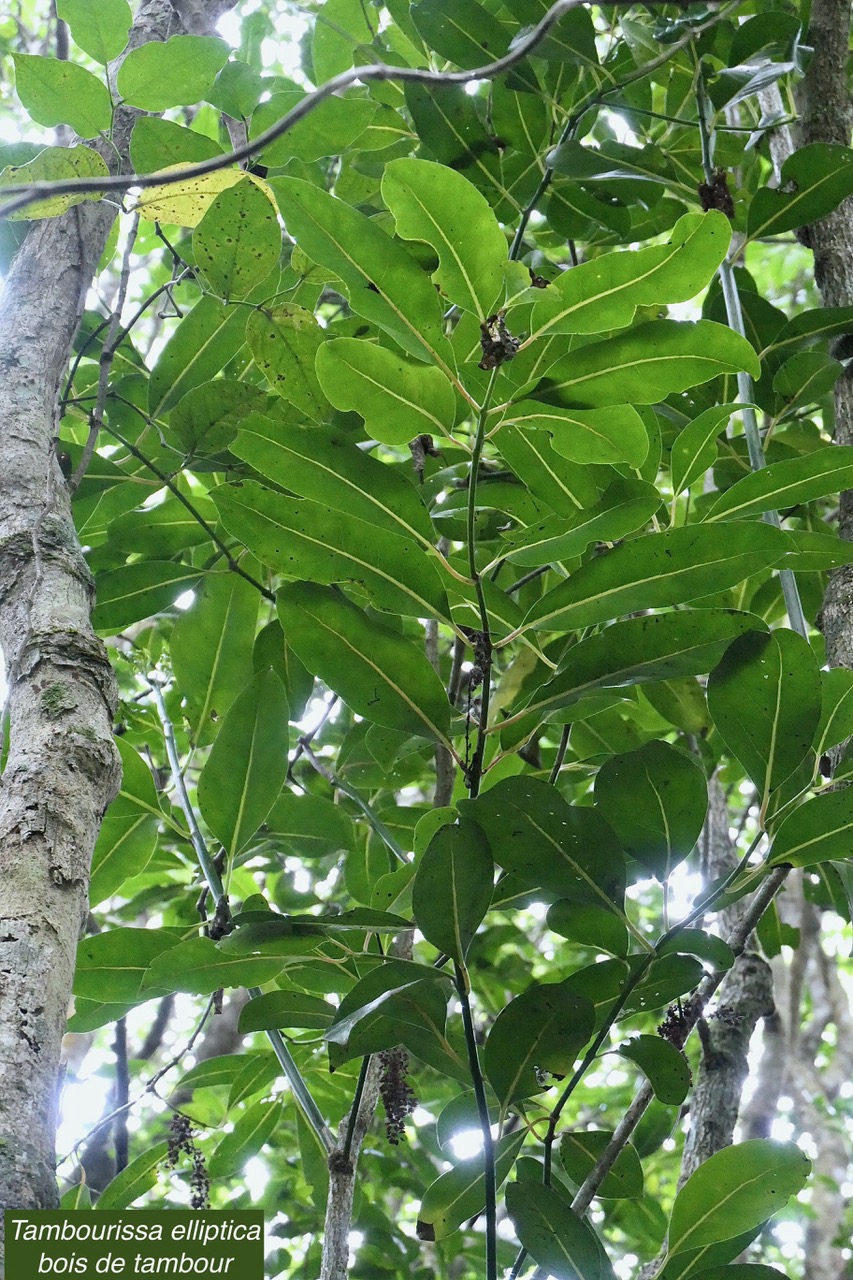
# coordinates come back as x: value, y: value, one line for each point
x: 544, y: 1030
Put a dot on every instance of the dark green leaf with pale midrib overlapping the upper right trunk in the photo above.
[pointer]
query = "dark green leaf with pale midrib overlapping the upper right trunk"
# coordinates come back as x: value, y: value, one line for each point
x: 814, y: 181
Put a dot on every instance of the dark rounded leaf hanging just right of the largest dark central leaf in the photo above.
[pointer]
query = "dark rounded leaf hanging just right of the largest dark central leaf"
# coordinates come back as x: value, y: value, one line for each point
x: 656, y: 801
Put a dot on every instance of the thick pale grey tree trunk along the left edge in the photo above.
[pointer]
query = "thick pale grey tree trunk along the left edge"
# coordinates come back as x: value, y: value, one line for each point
x: 62, y: 770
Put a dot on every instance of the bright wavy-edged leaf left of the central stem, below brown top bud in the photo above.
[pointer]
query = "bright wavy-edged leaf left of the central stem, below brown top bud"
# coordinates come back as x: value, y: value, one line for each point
x: 396, y: 399
